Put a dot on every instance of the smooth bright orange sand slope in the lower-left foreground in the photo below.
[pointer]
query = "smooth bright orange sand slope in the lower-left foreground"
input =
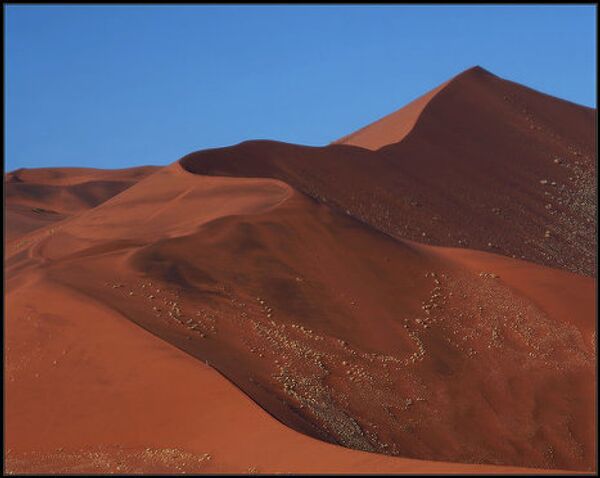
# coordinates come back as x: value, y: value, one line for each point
x: 120, y: 400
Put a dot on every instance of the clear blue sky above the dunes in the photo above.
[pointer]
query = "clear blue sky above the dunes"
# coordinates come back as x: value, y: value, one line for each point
x: 119, y: 86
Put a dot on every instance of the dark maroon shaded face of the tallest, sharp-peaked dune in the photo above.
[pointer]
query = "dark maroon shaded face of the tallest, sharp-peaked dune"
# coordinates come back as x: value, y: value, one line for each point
x: 488, y: 164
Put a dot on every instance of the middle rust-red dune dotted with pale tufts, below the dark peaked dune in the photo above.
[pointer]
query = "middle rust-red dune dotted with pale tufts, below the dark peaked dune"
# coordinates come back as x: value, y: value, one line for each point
x: 337, y: 330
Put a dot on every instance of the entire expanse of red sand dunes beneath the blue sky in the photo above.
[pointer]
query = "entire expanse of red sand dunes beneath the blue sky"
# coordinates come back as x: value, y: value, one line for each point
x: 401, y: 301
